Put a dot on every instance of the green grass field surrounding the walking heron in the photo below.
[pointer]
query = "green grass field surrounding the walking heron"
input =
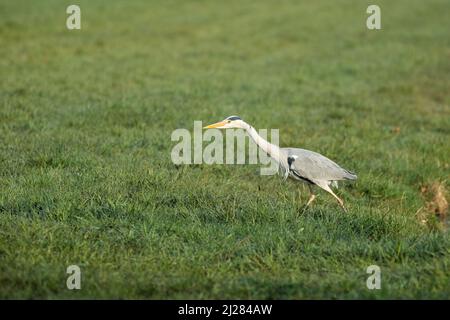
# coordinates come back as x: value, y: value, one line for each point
x: 86, y: 176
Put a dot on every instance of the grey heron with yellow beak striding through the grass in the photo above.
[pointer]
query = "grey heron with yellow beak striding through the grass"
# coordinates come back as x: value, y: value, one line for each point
x: 302, y: 165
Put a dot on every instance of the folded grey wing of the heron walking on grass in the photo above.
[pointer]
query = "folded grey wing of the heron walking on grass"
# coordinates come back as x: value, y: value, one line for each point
x: 316, y: 167
